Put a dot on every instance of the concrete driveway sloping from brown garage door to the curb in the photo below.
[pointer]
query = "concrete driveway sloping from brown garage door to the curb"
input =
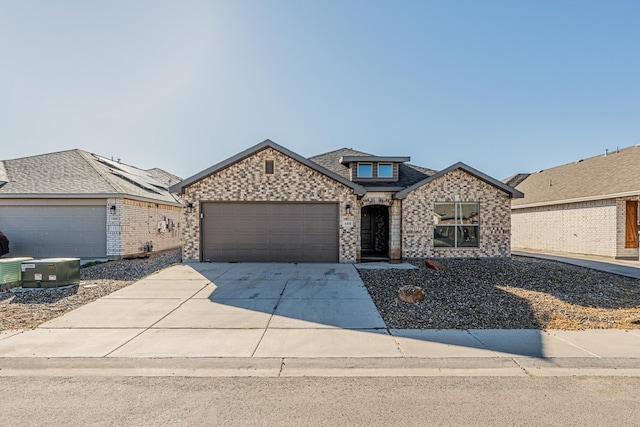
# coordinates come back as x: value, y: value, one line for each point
x: 220, y: 310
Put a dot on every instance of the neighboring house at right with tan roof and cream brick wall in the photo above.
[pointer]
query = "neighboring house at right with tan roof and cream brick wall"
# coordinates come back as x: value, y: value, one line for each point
x: 587, y: 207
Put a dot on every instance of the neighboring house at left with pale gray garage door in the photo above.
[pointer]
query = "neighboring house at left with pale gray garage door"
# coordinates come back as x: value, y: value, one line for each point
x: 77, y: 204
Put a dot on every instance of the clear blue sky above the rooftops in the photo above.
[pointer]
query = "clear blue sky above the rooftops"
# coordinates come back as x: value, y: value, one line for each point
x: 504, y: 86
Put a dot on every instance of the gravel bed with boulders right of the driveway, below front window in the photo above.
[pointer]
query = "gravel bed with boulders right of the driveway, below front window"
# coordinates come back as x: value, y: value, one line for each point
x: 503, y: 293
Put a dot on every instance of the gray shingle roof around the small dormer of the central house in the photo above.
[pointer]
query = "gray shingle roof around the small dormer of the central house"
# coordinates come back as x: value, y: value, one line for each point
x: 408, y: 174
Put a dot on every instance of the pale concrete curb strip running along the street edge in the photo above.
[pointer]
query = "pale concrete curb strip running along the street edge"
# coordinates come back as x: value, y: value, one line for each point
x: 325, y: 367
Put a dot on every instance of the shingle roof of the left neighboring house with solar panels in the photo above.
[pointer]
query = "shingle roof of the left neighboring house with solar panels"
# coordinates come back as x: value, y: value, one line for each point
x: 79, y: 174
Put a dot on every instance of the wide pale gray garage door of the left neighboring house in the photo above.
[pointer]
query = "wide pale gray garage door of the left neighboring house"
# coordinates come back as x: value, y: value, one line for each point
x: 55, y: 231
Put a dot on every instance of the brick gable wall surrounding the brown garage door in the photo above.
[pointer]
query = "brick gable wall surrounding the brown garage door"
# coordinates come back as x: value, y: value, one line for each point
x: 291, y: 181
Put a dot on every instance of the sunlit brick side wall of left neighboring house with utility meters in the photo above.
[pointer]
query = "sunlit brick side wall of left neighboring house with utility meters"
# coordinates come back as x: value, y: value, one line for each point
x: 137, y: 223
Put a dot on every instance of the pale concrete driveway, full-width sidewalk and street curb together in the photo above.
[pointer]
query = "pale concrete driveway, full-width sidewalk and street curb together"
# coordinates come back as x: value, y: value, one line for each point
x: 291, y: 318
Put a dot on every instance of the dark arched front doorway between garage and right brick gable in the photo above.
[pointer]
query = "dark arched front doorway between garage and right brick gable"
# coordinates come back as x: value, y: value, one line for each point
x: 374, y: 233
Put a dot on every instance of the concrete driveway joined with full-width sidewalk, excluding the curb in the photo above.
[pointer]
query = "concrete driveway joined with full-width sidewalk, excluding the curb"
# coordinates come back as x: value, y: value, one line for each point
x: 227, y: 310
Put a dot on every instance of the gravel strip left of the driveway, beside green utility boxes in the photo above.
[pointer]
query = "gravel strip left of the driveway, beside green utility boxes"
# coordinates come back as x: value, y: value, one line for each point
x: 21, y: 309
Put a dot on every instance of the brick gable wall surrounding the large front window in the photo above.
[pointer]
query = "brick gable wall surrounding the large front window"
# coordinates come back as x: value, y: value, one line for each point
x: 417, y: 217
